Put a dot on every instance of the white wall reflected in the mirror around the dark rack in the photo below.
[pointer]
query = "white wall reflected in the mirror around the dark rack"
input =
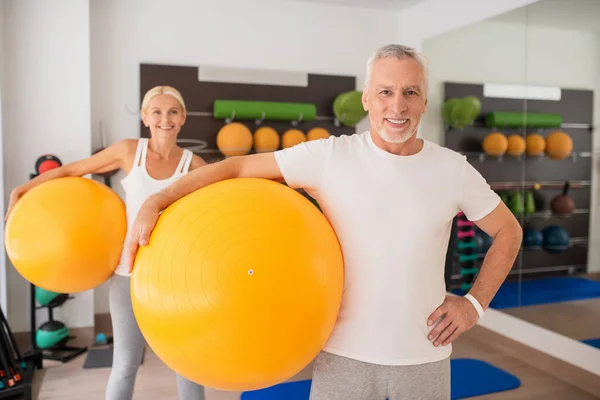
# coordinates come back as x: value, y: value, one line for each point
x: 516, y: 53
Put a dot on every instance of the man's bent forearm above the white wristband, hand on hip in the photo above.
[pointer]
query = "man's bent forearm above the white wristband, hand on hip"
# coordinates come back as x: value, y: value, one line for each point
x: 497, y: 264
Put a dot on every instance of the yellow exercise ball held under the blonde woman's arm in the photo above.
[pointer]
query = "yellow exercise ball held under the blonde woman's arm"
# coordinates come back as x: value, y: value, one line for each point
x: 66, y: 235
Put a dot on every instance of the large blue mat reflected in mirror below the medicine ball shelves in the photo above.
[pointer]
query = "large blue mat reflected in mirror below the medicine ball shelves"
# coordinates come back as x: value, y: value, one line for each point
x: 545, y: 291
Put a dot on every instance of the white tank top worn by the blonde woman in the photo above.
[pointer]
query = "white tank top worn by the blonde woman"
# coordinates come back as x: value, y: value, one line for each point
x: 139, y: 185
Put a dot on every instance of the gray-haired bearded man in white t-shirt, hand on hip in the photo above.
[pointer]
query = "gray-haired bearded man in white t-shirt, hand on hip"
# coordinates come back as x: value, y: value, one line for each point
x: 391, y: 198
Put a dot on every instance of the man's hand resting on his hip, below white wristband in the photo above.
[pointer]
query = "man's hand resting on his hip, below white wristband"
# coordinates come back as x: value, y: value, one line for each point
x: 458, y: 316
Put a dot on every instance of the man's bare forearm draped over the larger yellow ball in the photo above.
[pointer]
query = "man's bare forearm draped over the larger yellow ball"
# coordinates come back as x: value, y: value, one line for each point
x: 193, y: 181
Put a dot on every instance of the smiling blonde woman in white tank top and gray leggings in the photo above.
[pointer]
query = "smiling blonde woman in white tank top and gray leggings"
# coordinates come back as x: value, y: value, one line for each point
x: 151, y: 165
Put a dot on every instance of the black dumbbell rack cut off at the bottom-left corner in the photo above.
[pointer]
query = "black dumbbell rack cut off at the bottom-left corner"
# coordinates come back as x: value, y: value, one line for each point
x: 16, y: 369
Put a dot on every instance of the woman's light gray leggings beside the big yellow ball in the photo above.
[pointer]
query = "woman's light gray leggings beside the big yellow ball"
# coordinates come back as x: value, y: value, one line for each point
x: 129, y: 347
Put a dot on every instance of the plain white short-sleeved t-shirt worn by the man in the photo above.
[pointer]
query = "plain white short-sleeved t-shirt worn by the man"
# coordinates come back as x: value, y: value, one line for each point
x: 393, y: 216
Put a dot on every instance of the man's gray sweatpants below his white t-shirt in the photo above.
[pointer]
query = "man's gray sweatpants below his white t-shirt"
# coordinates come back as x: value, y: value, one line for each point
x: 341, y: 378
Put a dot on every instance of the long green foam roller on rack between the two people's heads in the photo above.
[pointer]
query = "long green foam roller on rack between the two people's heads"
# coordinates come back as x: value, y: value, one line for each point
x: 265, y: 110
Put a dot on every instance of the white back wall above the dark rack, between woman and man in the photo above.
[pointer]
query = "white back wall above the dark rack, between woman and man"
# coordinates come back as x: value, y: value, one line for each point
x: 269, y: 34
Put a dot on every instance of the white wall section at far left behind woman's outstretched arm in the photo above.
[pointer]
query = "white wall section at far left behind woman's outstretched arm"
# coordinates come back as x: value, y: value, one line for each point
x: 47, y: 110
